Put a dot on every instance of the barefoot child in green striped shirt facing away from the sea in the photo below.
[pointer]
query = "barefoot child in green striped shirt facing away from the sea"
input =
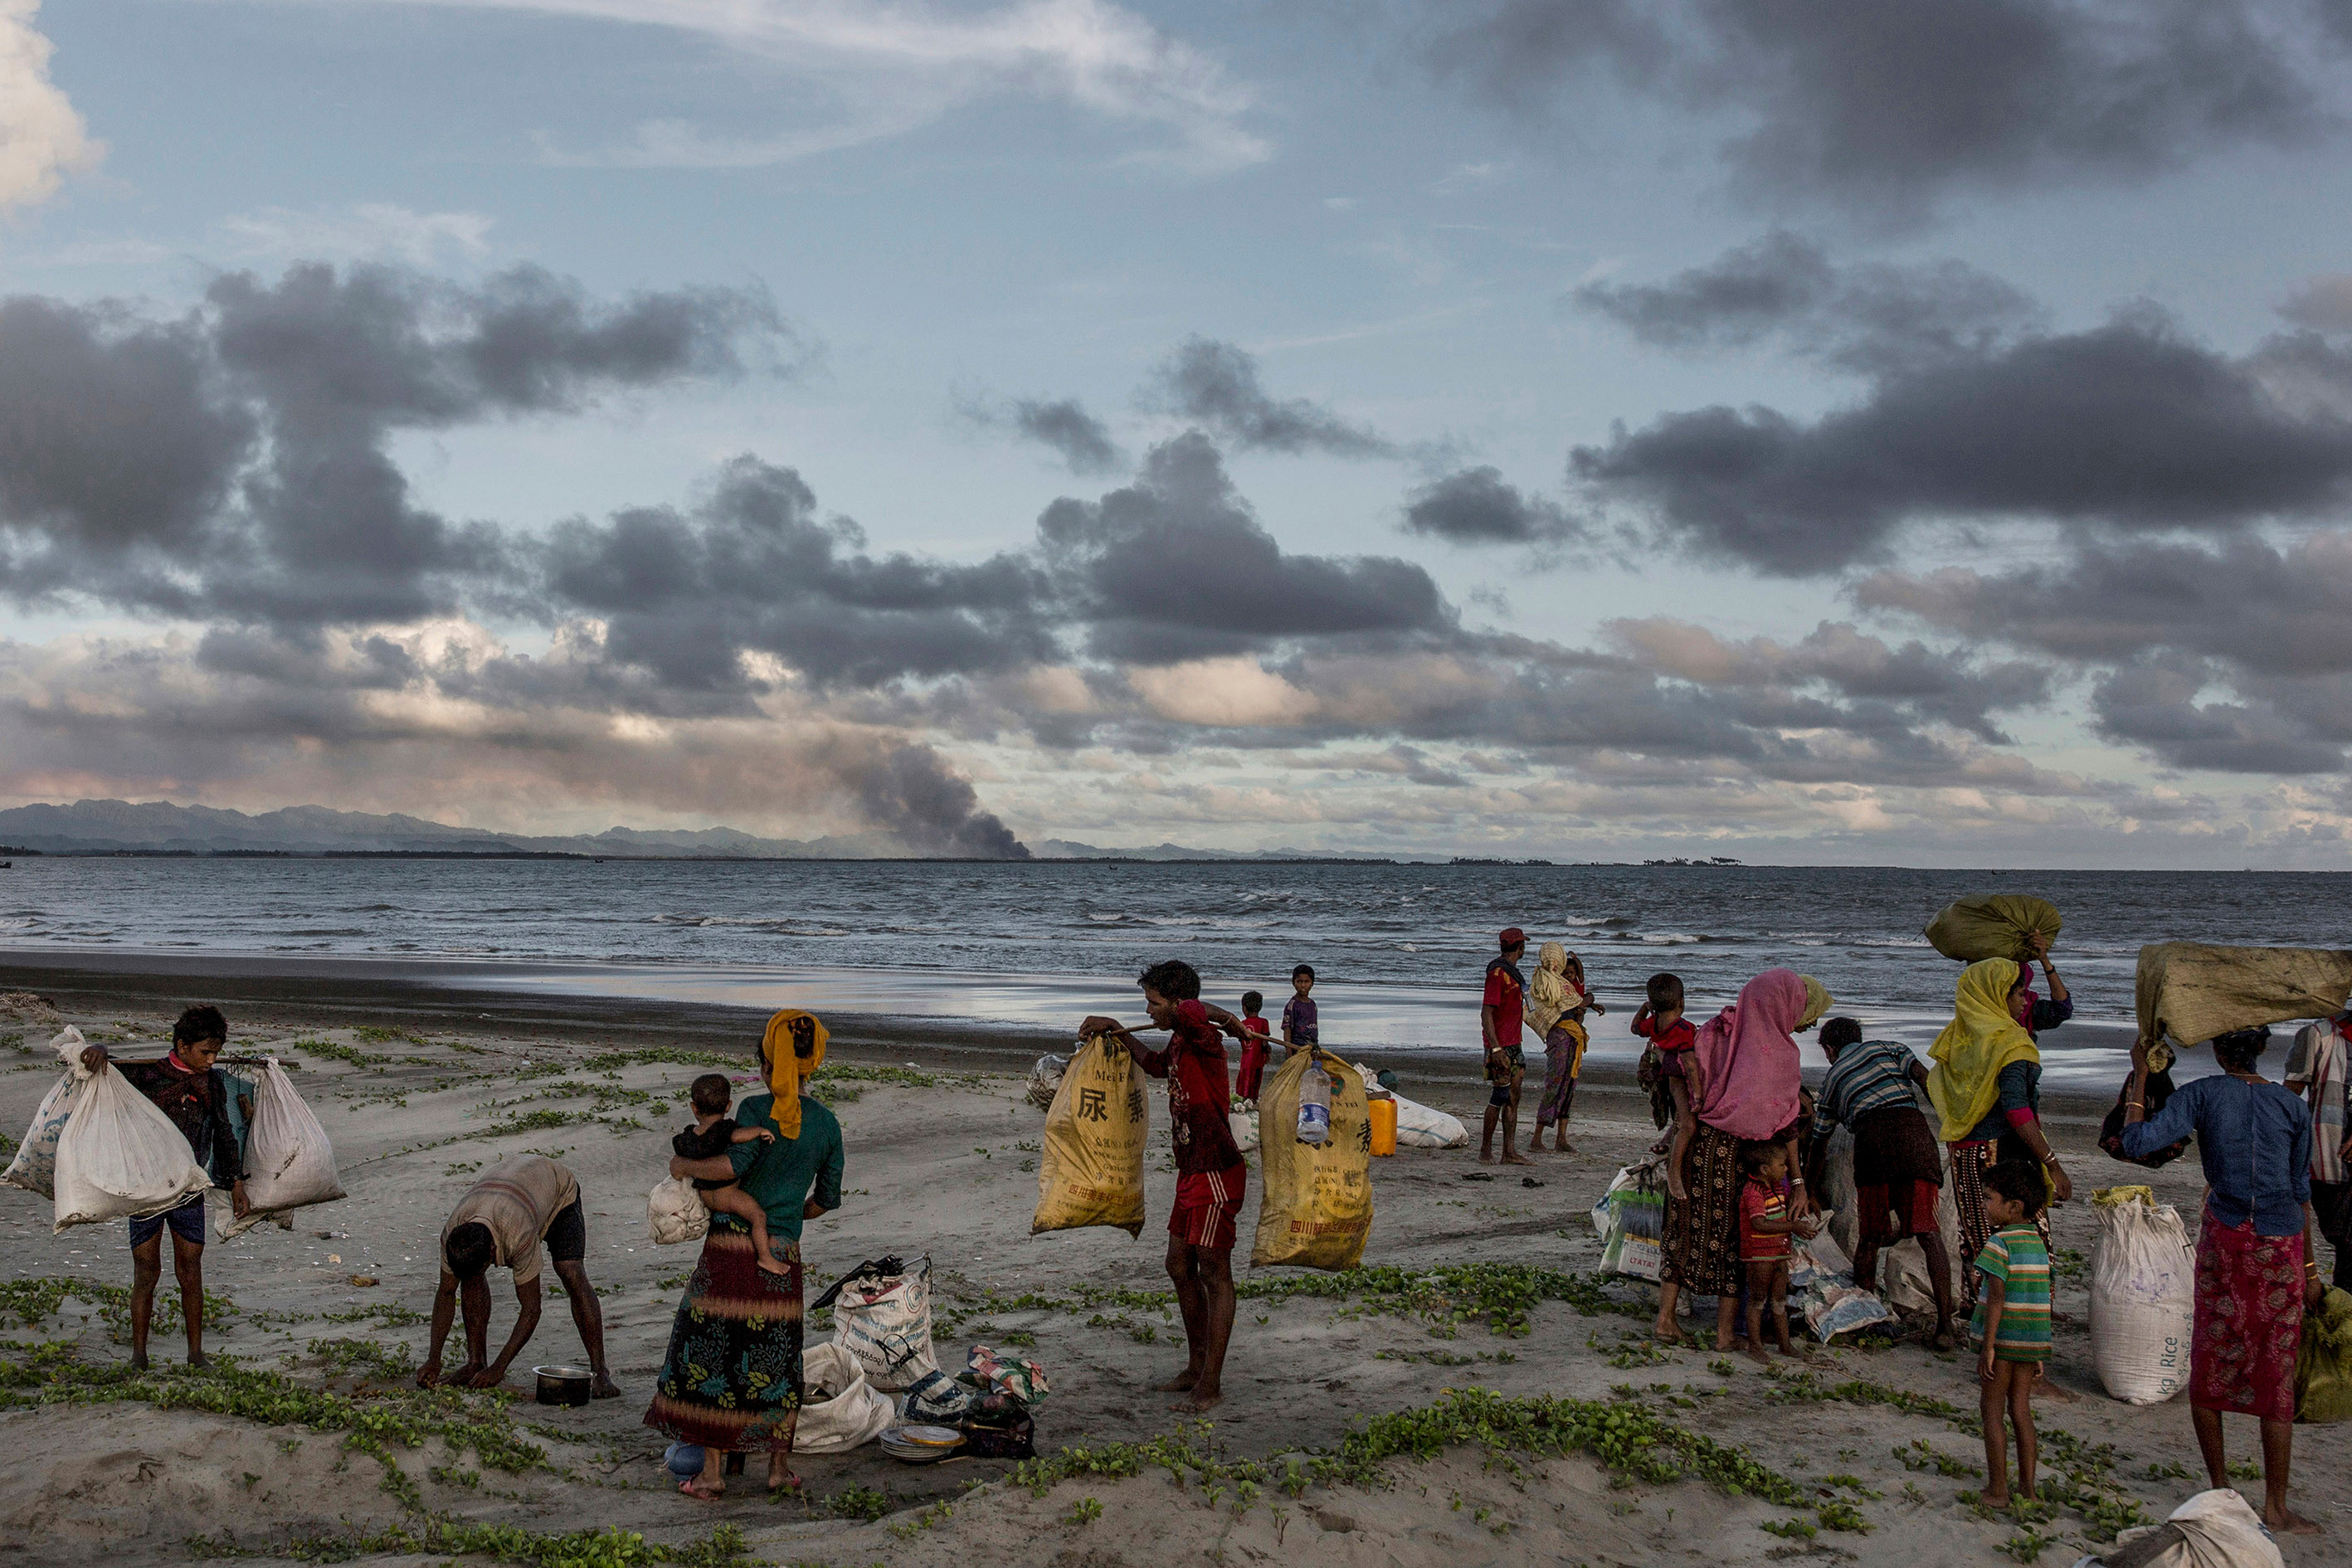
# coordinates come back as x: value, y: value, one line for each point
x: 2012, y: 1322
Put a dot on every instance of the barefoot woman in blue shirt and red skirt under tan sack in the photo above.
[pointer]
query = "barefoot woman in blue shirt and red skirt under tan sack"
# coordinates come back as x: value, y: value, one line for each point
x: 2254, y: 1252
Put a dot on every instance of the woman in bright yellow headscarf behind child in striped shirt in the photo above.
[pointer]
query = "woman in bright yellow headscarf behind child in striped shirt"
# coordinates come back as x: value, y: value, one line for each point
x: 1986, y: 1087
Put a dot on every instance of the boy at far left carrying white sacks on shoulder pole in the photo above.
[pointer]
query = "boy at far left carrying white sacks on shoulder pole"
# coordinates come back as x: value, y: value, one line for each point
x: 194, y: 1094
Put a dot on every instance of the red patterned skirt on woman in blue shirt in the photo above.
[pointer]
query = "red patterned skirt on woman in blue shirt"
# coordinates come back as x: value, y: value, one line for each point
x: 2250, y: 1320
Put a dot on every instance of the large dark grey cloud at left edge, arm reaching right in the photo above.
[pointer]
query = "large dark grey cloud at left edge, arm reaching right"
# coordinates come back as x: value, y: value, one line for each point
x: 234, y: 464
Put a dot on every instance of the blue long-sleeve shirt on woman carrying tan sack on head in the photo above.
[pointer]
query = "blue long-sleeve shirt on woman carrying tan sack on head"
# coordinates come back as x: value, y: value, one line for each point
x: 2254, y: 1141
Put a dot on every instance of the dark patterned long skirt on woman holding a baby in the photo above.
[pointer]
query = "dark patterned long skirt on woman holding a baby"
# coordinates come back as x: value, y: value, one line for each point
x: 733, y: 1376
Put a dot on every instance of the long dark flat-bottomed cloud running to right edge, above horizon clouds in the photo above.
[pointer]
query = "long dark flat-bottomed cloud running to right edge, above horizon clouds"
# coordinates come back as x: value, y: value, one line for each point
x: 2127, y: 424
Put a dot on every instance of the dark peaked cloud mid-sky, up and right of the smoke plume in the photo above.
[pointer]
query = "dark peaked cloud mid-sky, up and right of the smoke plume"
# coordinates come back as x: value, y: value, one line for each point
x: 1180, y: 568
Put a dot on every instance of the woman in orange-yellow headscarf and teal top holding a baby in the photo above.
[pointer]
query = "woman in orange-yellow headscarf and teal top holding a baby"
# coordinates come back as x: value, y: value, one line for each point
x: 733, y: 1376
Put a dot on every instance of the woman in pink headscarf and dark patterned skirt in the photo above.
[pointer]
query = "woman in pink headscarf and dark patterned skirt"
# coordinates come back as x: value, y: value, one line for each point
x: 1749, y: 1094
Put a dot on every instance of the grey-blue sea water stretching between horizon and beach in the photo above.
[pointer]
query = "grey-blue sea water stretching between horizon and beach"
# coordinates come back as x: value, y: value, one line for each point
x: 1398, y: 949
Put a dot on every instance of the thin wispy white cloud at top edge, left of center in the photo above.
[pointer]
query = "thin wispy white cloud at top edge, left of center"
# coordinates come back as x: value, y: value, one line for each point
x: 902, y: 67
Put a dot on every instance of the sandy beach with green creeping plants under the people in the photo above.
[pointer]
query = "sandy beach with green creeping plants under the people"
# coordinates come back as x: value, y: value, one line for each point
x: 1419, y: 1433
